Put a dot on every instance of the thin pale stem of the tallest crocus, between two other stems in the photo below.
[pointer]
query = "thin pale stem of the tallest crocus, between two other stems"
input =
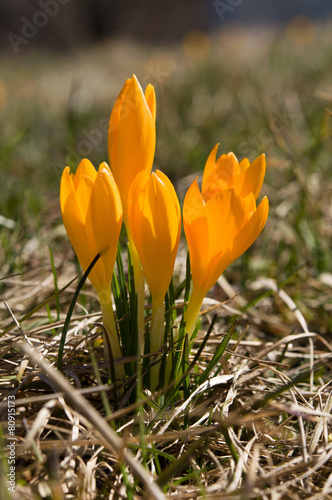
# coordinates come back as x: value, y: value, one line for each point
x: 139, y: 288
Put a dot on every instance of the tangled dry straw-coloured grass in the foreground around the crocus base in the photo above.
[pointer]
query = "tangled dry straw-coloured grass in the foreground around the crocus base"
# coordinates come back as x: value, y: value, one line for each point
x: 279, y: 430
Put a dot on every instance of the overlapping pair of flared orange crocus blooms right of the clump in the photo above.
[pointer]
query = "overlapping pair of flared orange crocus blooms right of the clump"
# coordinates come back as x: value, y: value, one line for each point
x: 222, y: 222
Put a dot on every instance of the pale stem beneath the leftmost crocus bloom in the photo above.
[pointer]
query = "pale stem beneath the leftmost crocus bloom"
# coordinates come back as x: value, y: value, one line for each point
x: 105, y: 299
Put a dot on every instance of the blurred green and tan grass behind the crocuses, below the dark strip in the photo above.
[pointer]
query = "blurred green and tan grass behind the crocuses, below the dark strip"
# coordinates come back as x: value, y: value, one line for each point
x: 262, y: 91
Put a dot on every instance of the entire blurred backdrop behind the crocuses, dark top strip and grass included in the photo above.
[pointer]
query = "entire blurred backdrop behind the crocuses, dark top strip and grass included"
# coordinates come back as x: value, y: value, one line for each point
x: 252, y: 75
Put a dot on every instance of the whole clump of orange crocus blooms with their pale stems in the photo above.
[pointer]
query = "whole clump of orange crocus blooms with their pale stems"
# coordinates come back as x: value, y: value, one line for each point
x: 220, y: 221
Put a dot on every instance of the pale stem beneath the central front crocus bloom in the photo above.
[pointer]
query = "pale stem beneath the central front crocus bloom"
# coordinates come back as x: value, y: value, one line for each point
x: 156, y: 339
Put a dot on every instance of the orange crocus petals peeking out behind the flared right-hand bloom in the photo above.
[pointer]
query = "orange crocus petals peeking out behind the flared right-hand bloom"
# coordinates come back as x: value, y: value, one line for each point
x: 227, y: 172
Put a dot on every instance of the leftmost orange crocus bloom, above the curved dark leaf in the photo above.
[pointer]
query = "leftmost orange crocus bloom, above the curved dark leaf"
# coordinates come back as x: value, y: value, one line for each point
x: 92, y: 215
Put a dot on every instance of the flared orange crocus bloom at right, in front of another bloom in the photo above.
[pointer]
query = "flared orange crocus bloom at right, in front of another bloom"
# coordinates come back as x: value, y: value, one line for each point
x: 218, y: 231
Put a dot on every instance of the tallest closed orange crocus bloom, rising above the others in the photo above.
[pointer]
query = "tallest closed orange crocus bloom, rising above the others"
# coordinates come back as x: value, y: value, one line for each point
x: 132, y: 135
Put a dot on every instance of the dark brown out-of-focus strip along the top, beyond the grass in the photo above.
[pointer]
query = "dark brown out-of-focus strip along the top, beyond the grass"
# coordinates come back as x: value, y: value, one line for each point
x: 73, y: 23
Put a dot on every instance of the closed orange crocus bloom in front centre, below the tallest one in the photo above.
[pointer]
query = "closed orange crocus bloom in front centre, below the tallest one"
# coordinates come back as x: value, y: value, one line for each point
x: 155, y: 224
